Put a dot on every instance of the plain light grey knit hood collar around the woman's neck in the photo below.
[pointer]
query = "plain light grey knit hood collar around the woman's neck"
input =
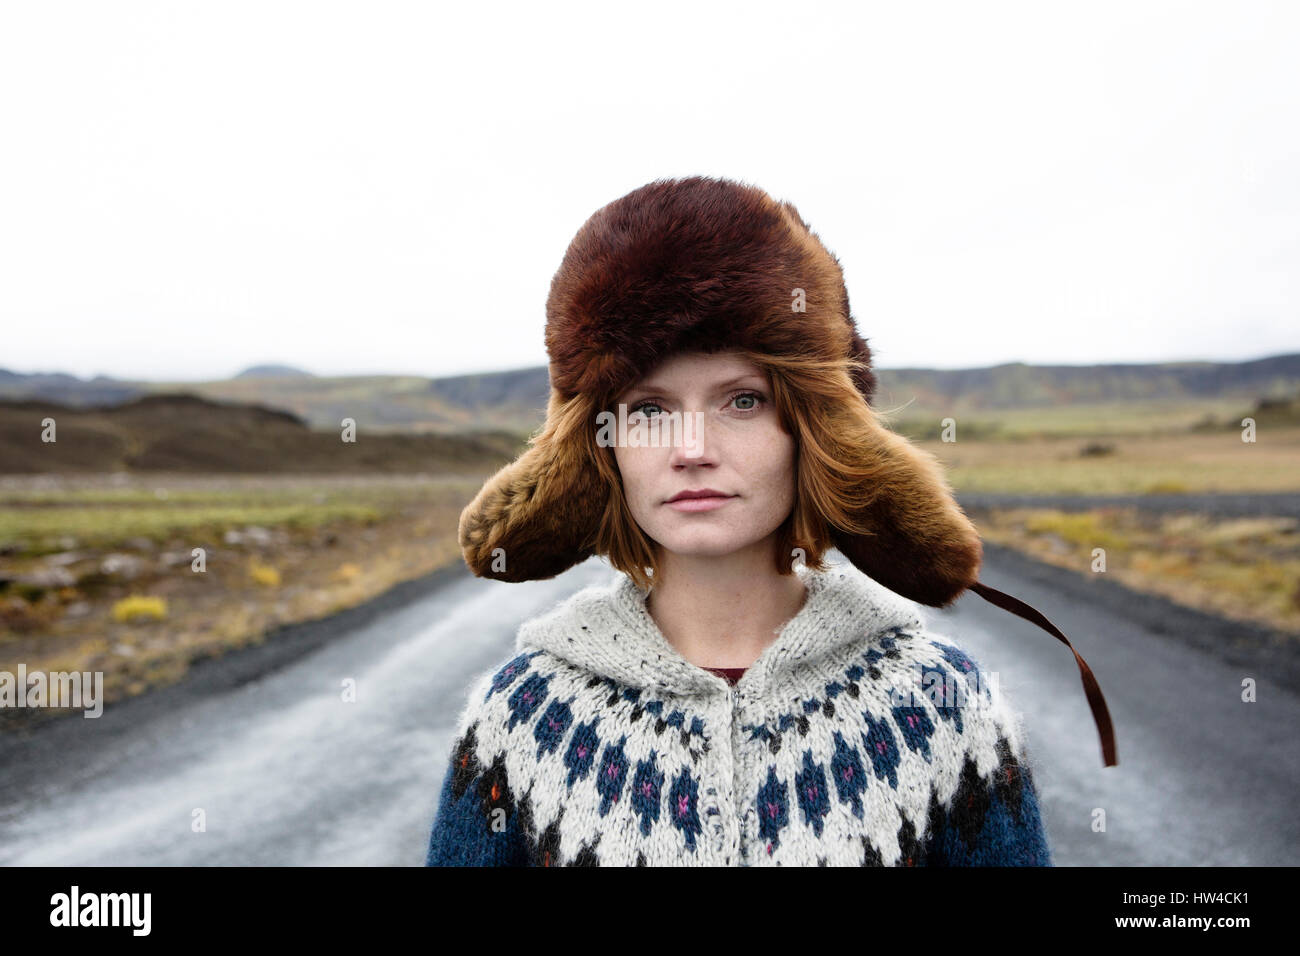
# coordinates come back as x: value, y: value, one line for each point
x: 609, y: 631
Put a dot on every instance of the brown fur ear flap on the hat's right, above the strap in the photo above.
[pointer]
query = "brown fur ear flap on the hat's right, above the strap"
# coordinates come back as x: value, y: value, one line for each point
x: 920, y: 543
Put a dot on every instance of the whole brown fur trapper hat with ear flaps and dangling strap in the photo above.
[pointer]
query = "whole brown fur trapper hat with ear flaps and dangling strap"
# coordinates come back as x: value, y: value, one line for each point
x: 705, y: 265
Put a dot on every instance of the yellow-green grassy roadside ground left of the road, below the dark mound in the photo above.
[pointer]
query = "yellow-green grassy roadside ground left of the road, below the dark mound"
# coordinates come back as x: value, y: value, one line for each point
x: 324, y: 547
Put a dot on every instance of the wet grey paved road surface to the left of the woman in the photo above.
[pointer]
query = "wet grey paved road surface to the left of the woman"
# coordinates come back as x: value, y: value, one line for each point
x: 284, y: 771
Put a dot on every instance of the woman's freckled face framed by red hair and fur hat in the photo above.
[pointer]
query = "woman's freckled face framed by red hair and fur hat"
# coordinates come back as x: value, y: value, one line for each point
x: 718, y: 430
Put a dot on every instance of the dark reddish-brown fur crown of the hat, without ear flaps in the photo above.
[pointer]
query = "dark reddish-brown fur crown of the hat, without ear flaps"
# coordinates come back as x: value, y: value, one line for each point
x: 694, y: 266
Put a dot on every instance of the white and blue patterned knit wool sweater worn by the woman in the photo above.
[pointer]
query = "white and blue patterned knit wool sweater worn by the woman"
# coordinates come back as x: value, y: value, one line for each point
x: 857, y: 738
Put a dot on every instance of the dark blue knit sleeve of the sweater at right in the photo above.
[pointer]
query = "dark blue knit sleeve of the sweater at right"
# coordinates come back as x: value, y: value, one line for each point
x: 993, y: 821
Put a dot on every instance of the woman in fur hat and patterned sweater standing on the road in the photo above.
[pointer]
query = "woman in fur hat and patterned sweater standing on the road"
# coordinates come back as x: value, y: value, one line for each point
x: 731, y: 699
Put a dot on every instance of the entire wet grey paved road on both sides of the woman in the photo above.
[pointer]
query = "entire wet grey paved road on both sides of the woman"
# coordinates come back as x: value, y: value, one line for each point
x: 289, y: 775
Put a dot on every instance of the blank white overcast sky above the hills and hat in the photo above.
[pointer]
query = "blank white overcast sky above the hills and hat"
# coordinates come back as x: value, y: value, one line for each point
x: 189, y: 189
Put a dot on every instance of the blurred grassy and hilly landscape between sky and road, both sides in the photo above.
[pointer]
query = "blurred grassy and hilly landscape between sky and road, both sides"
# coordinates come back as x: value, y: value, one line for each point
x: 99, y: 529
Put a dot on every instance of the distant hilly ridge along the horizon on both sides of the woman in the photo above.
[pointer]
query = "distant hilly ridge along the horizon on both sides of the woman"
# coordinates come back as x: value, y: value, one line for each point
x: 1012, y: 397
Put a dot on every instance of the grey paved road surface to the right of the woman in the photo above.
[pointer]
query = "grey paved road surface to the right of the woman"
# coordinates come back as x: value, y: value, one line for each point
x: 1204, y: 780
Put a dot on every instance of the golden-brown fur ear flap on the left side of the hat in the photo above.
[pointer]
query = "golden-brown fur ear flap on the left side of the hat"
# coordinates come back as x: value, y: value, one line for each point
x: 539, y: 516
